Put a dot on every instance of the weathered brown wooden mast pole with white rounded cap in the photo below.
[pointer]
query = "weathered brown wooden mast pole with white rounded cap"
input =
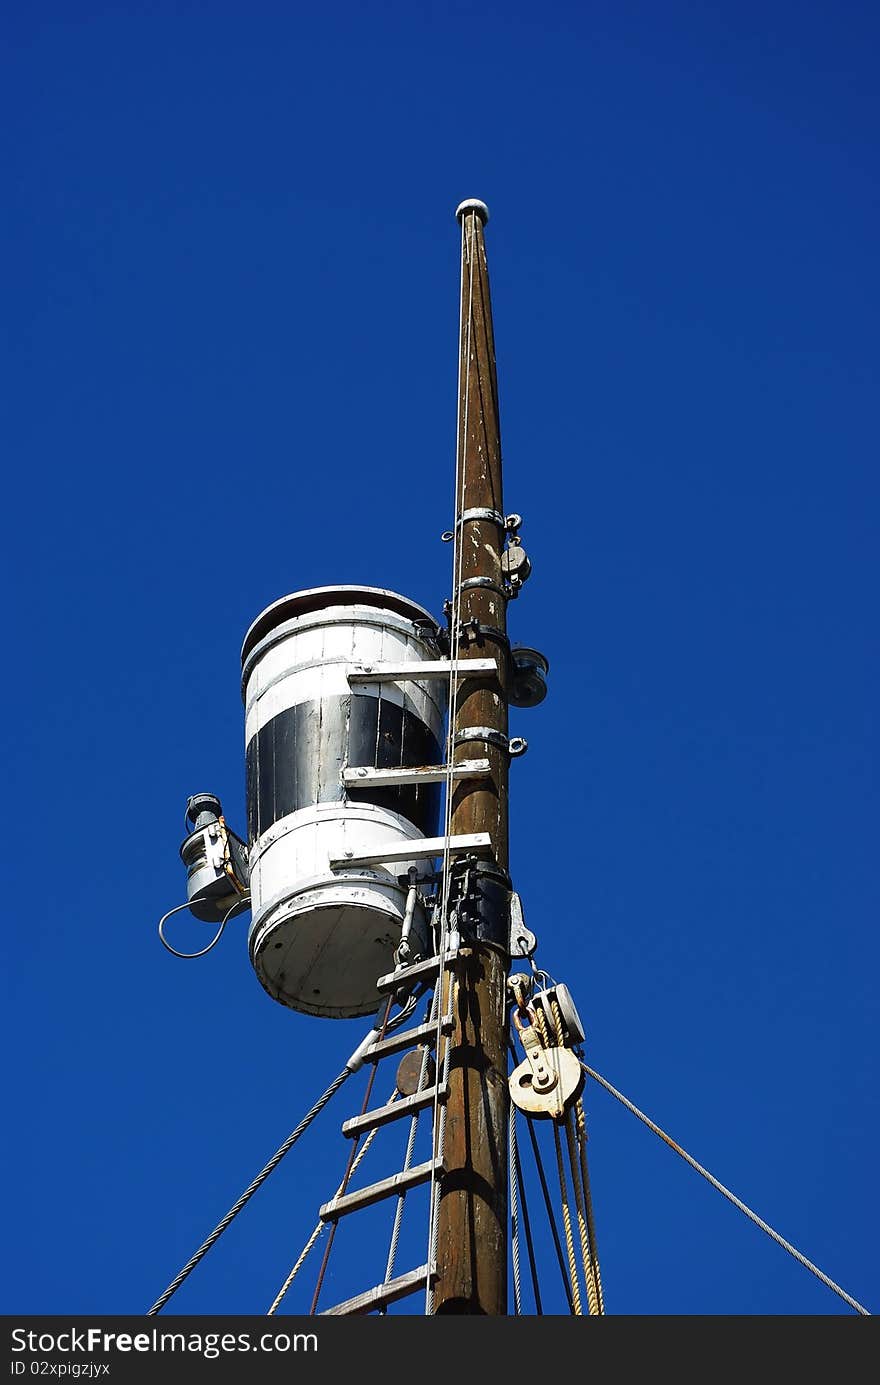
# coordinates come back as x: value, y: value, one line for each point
x: 472, y: 1236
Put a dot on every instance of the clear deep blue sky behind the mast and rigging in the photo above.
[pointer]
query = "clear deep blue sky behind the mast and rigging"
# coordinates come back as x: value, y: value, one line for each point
x: 231, y: 315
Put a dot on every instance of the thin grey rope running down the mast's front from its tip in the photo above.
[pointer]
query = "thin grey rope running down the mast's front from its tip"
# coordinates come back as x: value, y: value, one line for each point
x: 458, y: 562
